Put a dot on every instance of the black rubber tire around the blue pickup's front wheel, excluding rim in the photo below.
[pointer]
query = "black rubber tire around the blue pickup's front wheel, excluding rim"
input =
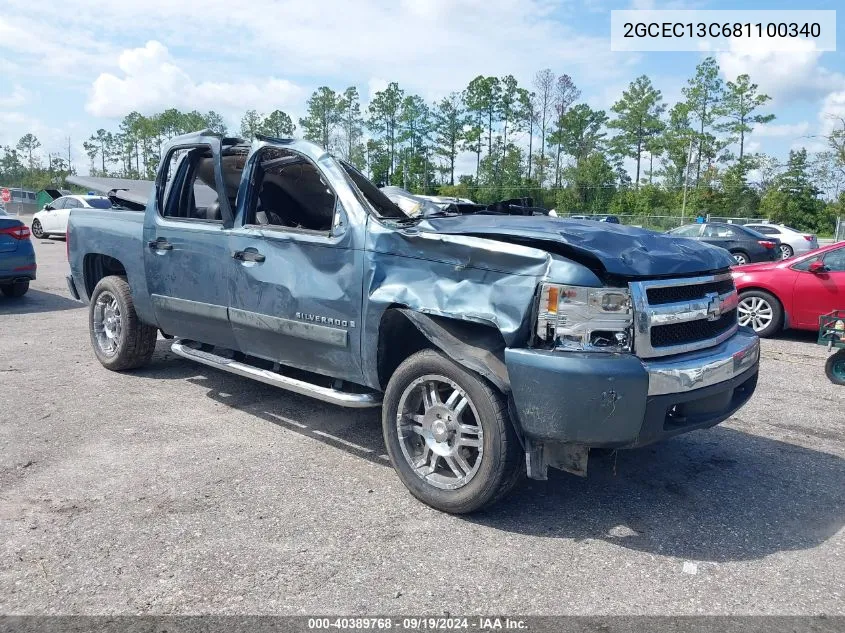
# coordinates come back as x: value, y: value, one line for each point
x: 502, y: 461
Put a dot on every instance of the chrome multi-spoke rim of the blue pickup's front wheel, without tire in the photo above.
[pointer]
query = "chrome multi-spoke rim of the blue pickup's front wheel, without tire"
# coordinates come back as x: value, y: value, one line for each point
x: 439, y: 432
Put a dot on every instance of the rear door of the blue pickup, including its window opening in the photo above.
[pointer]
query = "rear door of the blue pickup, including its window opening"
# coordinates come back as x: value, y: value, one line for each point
x: 185, y: 245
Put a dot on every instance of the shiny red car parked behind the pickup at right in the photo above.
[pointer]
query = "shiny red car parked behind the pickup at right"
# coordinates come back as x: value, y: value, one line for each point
x: 793, y: 292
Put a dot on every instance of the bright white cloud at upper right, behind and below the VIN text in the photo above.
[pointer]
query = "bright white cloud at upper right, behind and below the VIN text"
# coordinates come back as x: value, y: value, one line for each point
x: 785, y: 75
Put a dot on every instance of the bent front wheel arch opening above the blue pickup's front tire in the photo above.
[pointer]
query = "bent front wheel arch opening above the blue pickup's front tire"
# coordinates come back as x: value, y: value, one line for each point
x: 478, y: 347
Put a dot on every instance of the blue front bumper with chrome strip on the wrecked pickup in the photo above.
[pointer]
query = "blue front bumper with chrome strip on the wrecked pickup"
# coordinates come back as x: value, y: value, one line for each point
x: 620, y: 401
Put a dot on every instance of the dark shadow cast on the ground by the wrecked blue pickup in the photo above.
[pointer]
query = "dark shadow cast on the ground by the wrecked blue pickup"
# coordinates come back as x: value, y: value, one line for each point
x: 714, y: 495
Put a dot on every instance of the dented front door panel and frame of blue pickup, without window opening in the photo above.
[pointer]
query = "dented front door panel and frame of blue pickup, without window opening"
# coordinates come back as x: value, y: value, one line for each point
x: 295, y: 295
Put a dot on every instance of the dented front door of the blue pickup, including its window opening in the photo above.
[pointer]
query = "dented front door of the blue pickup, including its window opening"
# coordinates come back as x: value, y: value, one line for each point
x: 296, y: 274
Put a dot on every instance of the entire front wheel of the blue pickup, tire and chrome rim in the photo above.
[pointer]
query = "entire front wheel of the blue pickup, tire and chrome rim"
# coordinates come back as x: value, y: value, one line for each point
x: 448, y: 434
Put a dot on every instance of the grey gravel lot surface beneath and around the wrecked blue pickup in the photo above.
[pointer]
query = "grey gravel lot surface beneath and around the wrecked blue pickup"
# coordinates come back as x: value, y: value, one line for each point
x: 179, y: 489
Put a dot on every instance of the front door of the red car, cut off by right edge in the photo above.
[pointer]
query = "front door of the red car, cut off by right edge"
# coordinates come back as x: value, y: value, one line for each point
x: 820, y: 292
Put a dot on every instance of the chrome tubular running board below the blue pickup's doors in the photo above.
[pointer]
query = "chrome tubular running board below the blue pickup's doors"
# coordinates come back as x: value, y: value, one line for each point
x: 326, y: 394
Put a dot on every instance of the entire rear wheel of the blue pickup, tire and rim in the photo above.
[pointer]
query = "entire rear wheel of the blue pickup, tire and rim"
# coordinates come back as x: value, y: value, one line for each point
x: 120, y: 340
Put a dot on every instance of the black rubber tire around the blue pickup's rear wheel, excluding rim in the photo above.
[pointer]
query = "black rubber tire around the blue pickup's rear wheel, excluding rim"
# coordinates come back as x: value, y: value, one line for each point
x: 136, y: 341
